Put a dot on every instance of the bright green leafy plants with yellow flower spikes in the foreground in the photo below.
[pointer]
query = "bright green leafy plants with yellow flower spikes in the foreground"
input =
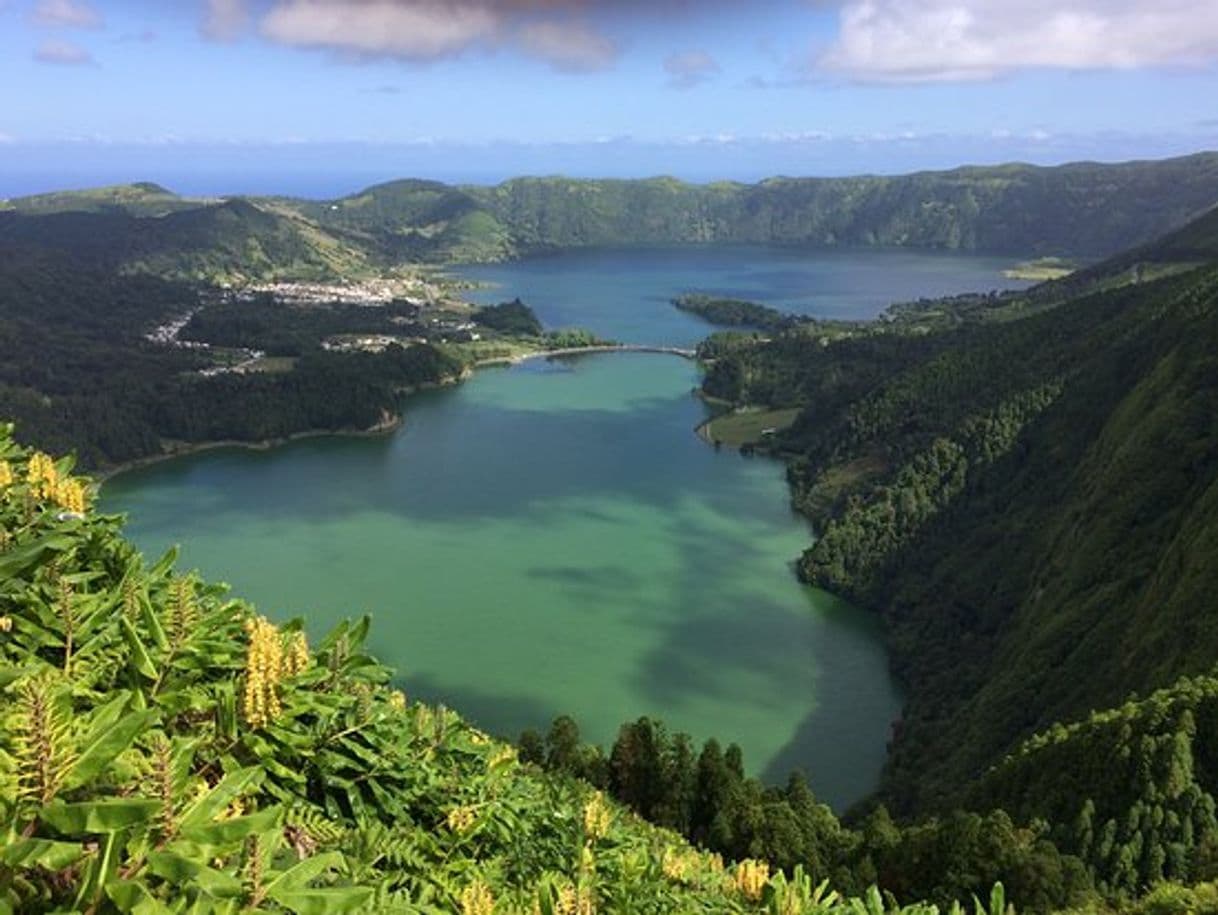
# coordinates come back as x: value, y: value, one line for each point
x: 166, y: 749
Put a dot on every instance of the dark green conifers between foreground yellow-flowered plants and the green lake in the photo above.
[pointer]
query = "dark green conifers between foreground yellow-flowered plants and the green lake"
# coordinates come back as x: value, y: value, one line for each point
x: 705, y: 796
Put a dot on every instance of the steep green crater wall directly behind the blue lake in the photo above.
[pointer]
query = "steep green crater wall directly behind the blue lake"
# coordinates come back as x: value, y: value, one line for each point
x: 1086, y: 210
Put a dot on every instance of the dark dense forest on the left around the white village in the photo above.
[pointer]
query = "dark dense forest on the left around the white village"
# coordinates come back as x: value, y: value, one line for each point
x: 81, y: 376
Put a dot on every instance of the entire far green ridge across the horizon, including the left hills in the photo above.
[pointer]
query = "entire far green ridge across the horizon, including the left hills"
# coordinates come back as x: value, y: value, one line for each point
x: 1079, y: 210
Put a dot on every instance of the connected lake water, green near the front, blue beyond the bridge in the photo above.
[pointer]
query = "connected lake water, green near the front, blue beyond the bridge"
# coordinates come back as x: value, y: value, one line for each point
x: 554, y: 538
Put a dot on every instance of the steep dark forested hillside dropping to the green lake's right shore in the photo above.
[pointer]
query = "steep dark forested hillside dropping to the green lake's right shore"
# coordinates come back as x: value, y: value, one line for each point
x: 1029, y: 503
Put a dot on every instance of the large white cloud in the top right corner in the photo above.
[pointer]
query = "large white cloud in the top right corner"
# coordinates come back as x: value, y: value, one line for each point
x: 925, y: 41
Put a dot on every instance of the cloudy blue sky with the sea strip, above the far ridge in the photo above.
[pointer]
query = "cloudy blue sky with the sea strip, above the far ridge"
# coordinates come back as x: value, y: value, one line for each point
x: 320, y: 97
